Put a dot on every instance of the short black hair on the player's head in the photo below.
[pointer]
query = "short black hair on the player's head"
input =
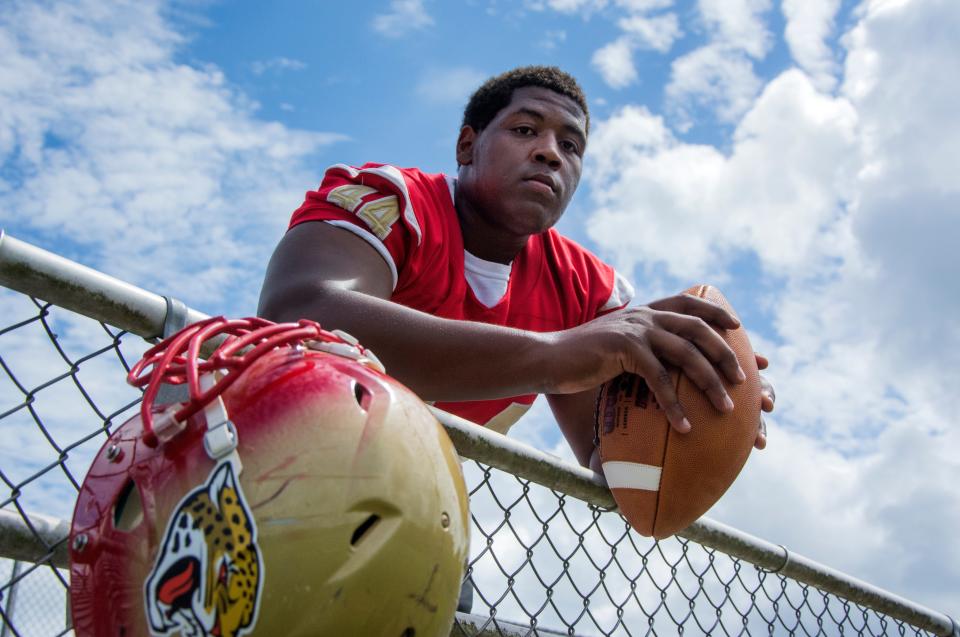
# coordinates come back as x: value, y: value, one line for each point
x: 495, y: 94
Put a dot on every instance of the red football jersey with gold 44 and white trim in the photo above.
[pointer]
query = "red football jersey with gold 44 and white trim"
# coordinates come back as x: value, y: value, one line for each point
x: 409, y: 217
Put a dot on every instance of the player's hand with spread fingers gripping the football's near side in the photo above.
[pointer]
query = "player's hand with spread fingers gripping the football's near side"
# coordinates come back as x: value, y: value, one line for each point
x: 644, y: 340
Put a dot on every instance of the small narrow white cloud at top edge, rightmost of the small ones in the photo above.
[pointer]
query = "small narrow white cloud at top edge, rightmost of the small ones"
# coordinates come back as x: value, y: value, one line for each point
x: 809, y: 24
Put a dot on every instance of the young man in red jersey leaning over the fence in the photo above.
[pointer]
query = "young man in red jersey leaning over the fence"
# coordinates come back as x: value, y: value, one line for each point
x: 466, y: 293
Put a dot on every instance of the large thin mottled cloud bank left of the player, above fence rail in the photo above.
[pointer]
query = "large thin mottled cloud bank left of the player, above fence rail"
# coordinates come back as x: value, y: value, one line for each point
x: 153, y: 170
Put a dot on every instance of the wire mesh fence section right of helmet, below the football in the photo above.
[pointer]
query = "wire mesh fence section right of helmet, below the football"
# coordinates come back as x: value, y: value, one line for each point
x: 552, y: 561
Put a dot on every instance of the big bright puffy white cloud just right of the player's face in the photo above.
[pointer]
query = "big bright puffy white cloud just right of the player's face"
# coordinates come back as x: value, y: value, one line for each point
x: 698, y: 208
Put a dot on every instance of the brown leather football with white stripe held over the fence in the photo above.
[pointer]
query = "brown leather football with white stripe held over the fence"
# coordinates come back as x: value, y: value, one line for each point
x: 663, y: 480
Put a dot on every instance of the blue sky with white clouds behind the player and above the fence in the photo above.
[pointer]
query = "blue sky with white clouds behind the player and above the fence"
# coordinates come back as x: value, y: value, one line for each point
x: 798, y: 154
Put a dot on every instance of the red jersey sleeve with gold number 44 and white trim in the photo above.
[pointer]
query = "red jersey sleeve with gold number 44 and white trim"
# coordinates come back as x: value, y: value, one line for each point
x: 374, y: 203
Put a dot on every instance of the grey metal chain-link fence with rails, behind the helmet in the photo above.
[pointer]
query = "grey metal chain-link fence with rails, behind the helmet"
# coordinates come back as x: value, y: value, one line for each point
x: 549, y: 553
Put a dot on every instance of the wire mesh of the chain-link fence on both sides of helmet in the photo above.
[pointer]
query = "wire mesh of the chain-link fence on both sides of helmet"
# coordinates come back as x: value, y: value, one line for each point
x: 540, y: 559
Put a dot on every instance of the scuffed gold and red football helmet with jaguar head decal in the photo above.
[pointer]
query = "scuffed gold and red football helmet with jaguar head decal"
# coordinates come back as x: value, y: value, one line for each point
x: 298, y: 490
